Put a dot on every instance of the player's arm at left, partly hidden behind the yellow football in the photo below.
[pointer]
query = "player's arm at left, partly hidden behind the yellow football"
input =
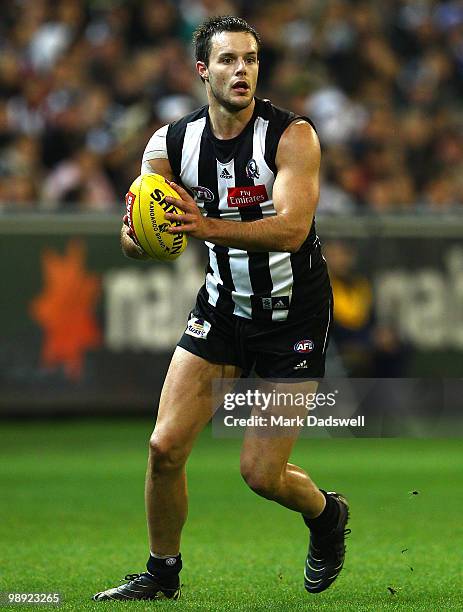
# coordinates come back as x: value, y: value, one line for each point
x: 155, y: 159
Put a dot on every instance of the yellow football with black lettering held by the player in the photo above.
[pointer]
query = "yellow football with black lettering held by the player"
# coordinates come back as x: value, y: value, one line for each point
x: 146, y: 209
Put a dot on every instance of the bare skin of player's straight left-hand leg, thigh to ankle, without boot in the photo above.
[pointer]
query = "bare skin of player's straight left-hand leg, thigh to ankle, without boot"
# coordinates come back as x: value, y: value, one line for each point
x: 185, y: 408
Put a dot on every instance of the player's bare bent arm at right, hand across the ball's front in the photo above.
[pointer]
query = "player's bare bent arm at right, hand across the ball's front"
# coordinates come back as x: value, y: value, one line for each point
x: 295, y: 197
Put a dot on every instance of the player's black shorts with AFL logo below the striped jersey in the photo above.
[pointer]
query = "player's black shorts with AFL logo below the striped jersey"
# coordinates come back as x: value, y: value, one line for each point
x: 288, y: 349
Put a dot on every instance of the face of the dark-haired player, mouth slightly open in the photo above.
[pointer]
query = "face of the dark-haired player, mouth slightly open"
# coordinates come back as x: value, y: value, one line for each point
x: 233, y: 69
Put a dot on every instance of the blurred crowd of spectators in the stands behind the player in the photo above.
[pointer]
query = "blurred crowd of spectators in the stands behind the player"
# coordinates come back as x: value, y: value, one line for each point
x: 83, y: 85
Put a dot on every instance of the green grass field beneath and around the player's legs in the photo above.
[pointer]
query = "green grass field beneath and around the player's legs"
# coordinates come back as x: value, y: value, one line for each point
x: 72, y: 521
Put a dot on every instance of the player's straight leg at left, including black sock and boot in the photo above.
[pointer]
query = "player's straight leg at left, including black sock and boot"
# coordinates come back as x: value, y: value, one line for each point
x: 185, y: 408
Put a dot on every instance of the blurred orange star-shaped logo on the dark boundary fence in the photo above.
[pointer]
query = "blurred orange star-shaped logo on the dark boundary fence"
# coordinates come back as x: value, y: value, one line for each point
x: 66, y: 309
